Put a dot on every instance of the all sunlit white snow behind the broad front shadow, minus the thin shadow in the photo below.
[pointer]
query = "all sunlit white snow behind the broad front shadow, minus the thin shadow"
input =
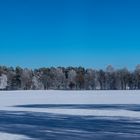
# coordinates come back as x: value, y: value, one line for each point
x: 8, y: 99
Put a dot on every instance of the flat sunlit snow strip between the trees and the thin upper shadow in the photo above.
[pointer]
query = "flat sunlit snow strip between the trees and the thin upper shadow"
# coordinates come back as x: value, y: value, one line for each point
x: 8, y: 98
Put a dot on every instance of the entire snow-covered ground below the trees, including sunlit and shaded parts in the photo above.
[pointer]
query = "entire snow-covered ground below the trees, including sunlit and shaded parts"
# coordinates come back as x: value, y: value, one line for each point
x: 71, y: 115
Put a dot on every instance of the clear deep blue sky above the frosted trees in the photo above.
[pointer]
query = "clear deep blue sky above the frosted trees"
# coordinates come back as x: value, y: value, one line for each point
x: 89, y: 33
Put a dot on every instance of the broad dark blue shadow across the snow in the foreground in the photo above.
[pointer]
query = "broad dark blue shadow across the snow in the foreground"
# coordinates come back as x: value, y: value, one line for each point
x: 45, y: 126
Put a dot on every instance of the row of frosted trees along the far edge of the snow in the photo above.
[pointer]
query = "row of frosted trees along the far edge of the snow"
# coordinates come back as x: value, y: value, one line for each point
x: 70, y: 78
